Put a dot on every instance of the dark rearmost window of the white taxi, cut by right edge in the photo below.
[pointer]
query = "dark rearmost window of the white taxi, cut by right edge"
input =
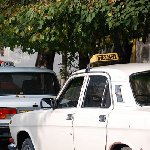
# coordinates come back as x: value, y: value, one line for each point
x: 140, y: 83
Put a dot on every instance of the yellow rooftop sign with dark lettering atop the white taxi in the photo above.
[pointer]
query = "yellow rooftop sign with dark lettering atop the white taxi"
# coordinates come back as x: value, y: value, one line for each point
x: 103, y: 59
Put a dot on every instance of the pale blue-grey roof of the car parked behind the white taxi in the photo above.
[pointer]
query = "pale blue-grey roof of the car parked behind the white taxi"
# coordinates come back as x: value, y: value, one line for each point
x: 25, y: 69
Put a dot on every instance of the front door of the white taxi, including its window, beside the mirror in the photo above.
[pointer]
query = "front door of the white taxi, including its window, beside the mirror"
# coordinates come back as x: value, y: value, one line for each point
x: 58, y: 127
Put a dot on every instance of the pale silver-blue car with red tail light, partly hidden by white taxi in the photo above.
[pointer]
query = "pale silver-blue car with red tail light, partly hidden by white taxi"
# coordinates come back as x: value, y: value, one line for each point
x: 21, y: 90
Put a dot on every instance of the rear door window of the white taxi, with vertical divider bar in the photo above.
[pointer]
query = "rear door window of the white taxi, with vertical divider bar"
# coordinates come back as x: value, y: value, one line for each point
x: 97, y: 94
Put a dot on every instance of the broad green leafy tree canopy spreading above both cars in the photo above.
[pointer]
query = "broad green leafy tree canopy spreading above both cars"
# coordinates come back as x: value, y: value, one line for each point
x: 70, y: 26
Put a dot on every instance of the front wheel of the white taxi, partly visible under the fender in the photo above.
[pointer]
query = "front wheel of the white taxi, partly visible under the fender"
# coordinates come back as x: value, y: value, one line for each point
x: 27, y: 145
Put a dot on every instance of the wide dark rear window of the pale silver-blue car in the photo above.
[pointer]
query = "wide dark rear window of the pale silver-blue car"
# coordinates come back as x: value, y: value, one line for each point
x: 28, y: 83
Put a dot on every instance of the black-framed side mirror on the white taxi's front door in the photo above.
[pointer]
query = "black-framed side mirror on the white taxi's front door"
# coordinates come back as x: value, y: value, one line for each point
x: 47, y: 103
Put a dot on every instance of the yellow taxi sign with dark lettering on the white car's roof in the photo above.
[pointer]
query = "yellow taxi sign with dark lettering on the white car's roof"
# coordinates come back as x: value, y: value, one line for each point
x: 104, y: 57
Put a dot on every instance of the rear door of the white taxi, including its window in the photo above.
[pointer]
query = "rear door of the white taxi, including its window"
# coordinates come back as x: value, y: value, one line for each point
x: 90, y: 121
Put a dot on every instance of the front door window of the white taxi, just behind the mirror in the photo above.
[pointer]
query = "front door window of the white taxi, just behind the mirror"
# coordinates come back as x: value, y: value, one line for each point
x: 71, y: 94
